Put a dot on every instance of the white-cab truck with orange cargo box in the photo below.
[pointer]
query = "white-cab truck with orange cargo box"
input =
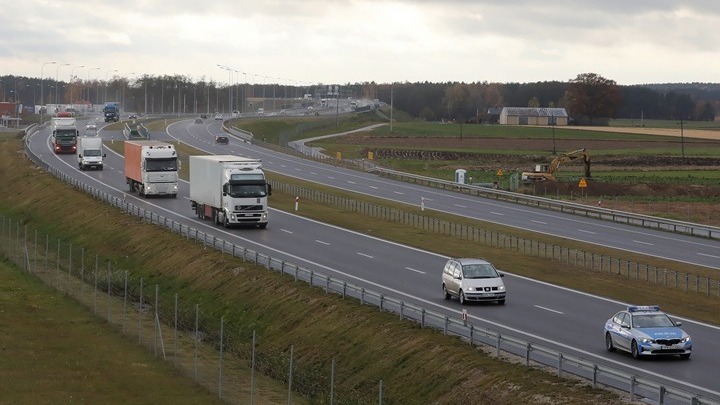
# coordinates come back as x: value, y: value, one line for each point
x: 151, y: 168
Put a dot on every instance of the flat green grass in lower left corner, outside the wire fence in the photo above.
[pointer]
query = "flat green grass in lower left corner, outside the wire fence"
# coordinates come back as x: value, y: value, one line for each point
x: 55, y: 351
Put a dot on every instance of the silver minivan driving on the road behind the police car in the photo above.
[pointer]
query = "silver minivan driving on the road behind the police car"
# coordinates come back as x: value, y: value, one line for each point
x: 472, y: 280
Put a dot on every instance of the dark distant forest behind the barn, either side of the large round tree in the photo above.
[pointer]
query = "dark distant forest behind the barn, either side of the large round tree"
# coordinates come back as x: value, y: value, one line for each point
x: 469, y: 102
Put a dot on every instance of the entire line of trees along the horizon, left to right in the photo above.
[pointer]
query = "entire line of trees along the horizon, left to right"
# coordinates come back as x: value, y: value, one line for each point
x: 588, y: 98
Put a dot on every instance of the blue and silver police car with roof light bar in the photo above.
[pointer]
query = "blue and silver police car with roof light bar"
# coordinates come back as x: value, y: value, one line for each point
x: 646, y: 331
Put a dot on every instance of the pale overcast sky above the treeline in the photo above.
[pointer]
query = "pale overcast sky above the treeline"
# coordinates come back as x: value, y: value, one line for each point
x: 348, y: 41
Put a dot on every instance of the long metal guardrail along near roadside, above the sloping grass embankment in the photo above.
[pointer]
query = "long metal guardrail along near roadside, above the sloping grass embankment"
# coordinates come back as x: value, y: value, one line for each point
x: 533, y: 353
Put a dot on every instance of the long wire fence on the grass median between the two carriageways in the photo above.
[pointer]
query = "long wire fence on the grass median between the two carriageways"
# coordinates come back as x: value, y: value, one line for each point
x: 581, y: 259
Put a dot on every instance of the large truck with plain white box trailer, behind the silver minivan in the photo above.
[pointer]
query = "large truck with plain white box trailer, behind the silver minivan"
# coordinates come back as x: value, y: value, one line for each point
x: 230, y: 190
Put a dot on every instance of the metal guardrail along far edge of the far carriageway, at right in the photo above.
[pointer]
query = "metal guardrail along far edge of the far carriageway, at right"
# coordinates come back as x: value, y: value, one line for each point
x: 622, y: 217
